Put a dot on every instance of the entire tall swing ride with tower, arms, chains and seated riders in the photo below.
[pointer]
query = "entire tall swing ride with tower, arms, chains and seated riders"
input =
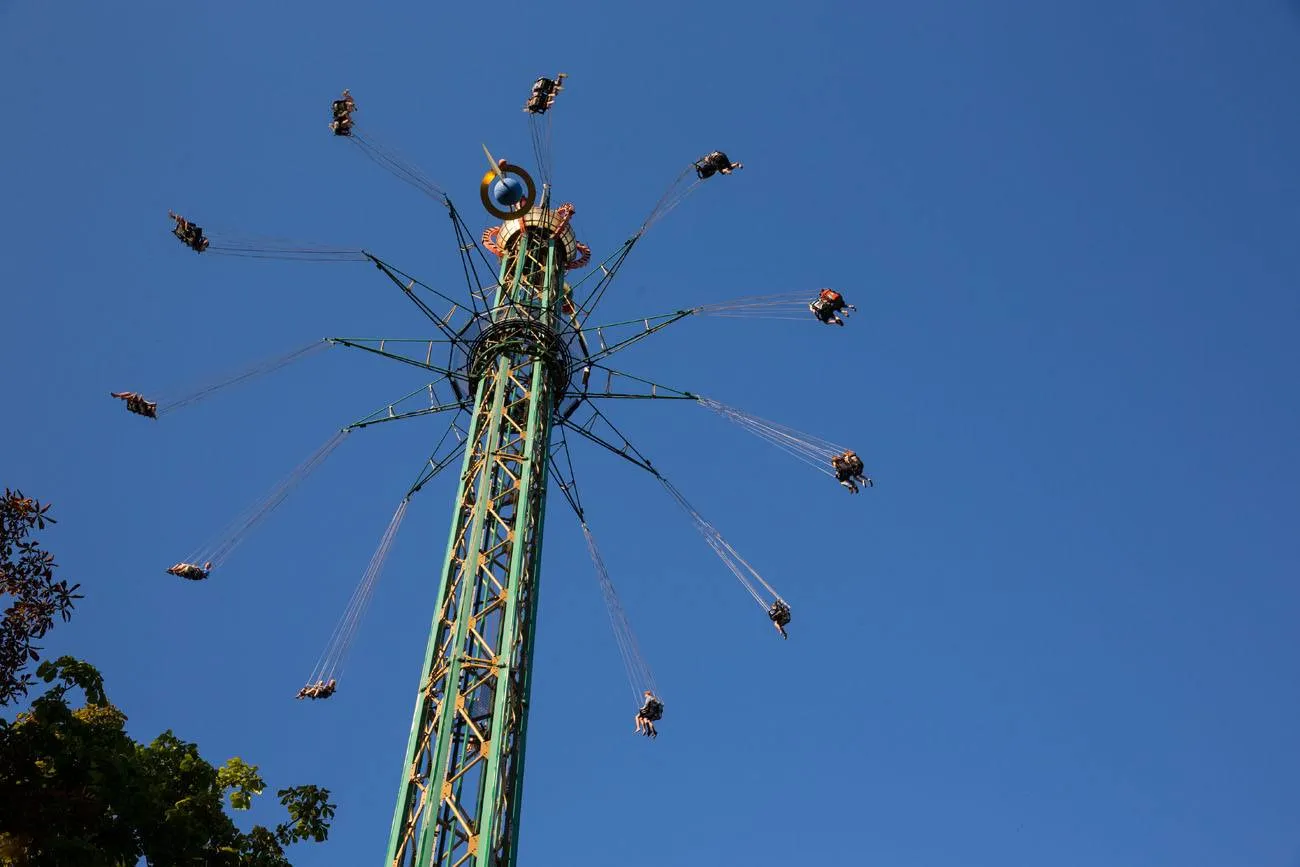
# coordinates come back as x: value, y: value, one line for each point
x: 526, y: 367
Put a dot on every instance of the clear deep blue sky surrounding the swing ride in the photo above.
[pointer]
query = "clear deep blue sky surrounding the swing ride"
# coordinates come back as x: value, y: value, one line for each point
x: 1060, y: 631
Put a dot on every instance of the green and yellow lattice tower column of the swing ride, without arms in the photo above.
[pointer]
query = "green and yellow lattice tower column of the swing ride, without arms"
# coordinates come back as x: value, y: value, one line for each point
x: 463, y: 775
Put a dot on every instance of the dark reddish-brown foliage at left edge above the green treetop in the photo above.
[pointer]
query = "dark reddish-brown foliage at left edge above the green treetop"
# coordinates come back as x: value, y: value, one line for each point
x: 28, y: 578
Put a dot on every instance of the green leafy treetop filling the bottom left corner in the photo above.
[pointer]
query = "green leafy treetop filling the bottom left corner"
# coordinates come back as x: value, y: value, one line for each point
x: 77, y: 790
